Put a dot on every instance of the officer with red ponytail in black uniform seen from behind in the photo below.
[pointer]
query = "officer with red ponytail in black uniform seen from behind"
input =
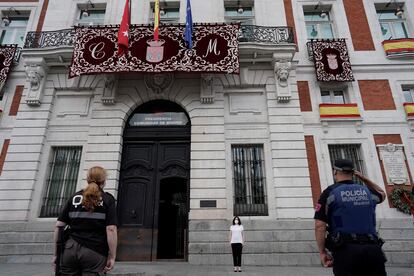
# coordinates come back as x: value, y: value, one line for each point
x: 91, y: 215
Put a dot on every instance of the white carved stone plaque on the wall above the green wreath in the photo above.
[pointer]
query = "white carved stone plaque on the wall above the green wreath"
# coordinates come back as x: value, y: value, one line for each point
x: 393, y: 160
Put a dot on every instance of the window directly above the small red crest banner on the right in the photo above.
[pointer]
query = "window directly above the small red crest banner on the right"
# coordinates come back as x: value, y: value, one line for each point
x: 318, y: 24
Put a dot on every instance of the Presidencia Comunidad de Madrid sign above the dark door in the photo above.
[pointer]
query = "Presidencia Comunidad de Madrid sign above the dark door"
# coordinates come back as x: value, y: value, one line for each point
x: 159, y: 119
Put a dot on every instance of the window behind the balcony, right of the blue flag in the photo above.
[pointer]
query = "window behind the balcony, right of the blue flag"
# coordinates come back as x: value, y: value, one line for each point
x: 237, y: 12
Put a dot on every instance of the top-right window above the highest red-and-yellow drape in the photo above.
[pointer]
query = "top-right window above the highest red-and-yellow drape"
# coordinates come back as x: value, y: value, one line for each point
x: 392, y: 26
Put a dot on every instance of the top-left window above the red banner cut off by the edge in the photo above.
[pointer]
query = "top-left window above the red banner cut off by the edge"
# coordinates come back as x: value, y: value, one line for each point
x: 15, y: 32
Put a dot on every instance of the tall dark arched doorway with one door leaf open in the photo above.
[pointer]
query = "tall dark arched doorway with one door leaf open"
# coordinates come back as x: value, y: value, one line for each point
x: 153, y: 199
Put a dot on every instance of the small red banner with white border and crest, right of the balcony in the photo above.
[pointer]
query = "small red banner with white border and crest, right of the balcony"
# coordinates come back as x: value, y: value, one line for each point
x: 331, y: 60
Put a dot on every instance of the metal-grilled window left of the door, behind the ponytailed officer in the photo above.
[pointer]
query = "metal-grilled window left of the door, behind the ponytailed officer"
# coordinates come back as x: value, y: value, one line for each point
x: 63, y: 176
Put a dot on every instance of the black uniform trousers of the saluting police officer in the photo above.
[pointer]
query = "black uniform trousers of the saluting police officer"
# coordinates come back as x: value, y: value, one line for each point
x: 359, y: 260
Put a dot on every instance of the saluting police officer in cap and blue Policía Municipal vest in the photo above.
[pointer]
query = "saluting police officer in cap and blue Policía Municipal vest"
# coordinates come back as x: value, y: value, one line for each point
x: 346, y: 212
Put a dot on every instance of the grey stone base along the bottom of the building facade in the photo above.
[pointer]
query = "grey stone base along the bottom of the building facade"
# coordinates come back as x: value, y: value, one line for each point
x: 276, y: 242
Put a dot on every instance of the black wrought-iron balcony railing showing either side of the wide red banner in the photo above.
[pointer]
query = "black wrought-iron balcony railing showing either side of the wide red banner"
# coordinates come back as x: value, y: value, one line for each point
x: 248, y: 33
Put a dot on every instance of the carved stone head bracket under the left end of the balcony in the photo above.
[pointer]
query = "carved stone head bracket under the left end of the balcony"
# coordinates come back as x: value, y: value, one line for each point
x: 36, y: 77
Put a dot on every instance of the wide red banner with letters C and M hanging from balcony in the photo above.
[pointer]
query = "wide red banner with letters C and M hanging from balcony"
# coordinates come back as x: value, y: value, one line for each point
x: 215, y: 50
